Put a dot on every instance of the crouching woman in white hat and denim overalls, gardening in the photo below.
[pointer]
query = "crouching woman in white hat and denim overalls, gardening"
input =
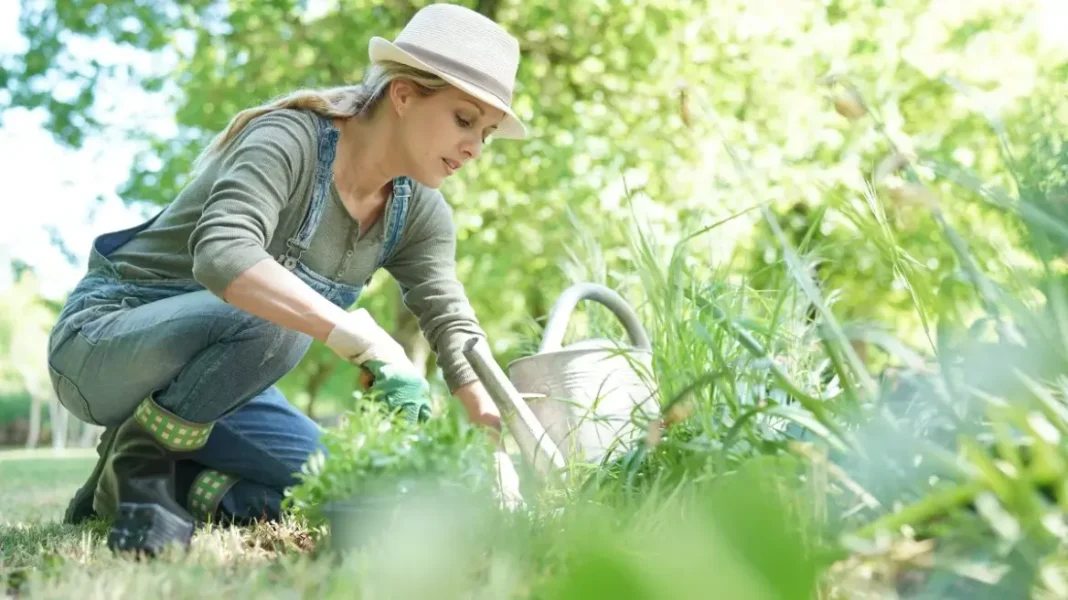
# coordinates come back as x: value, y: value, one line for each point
x: 181, y: 328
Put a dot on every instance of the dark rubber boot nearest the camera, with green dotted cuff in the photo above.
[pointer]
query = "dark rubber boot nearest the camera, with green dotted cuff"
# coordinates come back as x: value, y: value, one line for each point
x: 137, y: 484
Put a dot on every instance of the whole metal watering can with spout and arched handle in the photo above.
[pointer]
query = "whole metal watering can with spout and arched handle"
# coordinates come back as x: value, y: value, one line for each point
x: 580, y: 403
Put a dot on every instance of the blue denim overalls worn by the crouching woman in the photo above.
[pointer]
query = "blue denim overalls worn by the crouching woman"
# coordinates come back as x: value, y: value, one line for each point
x: 118, y: 341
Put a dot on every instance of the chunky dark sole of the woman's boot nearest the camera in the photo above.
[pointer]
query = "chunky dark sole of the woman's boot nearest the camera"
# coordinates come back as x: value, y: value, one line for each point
x: 148, y: 529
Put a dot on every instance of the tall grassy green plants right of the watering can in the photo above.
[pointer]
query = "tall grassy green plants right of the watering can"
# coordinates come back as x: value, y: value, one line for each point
x: 949, y: 467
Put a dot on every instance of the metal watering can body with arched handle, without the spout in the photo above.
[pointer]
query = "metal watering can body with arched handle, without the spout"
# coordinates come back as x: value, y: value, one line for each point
x: 593, y: 398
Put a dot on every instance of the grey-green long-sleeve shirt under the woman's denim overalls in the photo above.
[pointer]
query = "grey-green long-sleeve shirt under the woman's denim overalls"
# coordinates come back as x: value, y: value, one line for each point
x: 250, y: 199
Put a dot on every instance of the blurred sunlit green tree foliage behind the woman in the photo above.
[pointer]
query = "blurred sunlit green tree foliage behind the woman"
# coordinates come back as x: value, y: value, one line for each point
x: 676, y: 113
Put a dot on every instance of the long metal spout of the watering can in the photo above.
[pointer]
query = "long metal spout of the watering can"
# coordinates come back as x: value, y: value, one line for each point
x: 535, y: 443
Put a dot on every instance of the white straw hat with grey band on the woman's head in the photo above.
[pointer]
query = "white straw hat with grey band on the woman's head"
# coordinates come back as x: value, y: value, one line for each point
x: 466, y: 50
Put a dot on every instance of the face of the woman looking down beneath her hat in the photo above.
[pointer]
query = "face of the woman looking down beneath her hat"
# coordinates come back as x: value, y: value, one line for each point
x: 443, y: 132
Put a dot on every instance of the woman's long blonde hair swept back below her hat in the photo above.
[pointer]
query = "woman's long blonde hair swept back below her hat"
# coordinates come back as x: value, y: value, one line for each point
x: 340, y: 103
